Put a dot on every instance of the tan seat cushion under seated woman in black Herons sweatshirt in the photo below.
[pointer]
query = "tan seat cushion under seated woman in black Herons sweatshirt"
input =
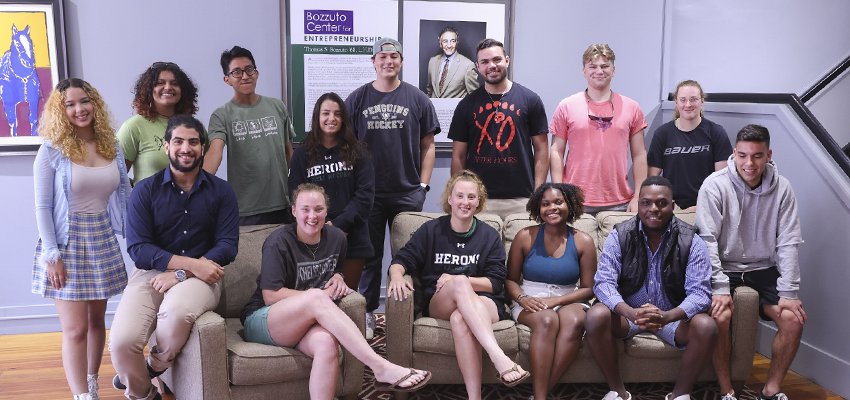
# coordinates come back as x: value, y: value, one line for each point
x: 435, y: 336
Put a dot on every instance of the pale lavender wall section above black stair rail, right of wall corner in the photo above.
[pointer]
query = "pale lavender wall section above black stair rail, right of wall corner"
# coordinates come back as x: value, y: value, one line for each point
x: 757, y: 46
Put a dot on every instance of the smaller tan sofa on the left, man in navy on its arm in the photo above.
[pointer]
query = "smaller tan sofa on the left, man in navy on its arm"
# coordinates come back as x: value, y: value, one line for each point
x: 216, y: 363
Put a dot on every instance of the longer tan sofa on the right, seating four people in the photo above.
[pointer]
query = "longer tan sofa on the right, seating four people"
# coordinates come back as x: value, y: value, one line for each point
x: 426, y: 343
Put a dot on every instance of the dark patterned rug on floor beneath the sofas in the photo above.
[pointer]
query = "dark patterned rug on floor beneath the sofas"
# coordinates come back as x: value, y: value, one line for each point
x: 566, y: 391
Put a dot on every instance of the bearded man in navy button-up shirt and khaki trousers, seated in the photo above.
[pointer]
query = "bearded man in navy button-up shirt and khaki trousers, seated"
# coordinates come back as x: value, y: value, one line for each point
x: 182, y: 229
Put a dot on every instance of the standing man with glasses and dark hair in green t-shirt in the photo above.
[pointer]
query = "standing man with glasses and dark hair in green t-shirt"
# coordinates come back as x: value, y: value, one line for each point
x: 258, y: 134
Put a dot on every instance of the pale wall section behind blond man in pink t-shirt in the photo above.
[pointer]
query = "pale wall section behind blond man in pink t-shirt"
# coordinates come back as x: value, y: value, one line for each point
x: 551, y: 35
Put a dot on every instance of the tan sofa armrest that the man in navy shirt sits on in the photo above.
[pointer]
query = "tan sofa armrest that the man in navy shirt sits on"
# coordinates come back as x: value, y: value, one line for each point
x: 200, y: 370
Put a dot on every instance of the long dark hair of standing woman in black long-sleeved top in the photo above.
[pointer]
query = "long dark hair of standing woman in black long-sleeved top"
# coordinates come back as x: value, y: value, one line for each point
x: 351, y: 149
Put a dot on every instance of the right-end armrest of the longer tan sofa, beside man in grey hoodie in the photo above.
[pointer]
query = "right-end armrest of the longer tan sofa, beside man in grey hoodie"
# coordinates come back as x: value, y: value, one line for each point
x: 744, y: 327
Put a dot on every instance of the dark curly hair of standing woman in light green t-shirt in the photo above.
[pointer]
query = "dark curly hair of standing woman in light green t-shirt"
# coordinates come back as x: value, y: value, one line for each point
x: 143, y: 90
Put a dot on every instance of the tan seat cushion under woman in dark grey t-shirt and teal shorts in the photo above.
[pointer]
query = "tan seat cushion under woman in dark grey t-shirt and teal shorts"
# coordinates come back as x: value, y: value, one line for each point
x: 257, y: 364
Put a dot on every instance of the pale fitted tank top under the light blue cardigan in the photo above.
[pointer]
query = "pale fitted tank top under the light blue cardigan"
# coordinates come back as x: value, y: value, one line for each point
x: 91, y: 187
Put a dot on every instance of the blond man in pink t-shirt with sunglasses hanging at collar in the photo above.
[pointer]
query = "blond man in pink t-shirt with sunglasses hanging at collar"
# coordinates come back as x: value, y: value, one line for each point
x: 601, y: 127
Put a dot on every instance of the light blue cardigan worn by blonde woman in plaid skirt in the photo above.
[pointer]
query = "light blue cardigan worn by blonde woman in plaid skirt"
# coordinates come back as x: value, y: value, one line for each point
x: 52, y: 175
